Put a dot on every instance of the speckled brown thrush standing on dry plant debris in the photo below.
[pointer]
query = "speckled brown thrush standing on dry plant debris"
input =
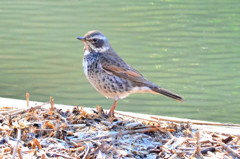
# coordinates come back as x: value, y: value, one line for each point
x: 110, y: 75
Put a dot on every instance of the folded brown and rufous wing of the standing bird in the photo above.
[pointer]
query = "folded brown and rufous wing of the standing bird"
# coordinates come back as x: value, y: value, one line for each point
x: 120, y: 68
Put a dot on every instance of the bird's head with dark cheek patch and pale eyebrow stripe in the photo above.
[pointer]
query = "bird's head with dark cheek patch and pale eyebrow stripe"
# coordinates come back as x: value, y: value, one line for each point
x: 94, y: 41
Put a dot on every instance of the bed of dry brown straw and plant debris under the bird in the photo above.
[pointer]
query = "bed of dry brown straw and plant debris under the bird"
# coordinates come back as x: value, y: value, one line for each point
x: 37, y: 132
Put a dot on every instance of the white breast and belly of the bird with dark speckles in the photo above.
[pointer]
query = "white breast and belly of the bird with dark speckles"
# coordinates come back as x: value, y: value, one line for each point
x: 108, y: 84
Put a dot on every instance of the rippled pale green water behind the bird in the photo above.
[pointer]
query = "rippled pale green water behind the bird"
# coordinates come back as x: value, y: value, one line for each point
x: 189, y: 47
